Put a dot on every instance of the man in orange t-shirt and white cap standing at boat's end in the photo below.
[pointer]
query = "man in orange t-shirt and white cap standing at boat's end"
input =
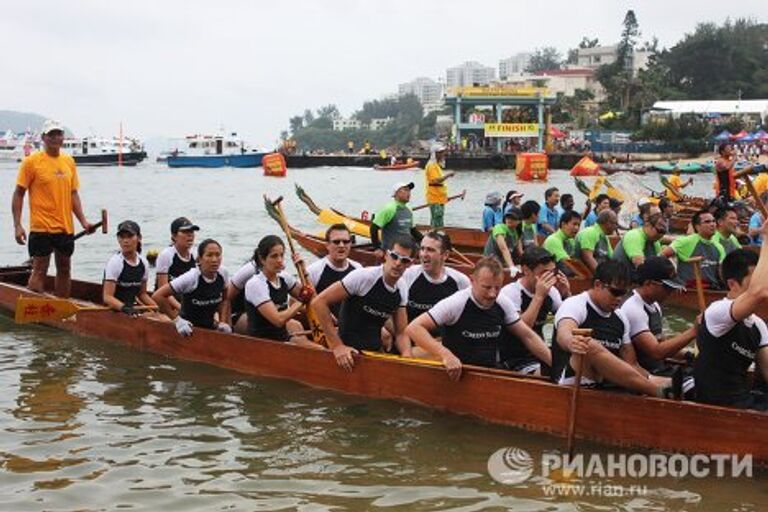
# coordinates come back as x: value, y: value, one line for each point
x: 51, y: 179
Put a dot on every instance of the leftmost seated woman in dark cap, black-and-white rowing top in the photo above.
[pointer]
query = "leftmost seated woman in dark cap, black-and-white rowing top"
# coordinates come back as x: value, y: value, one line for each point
x: 126, y: 273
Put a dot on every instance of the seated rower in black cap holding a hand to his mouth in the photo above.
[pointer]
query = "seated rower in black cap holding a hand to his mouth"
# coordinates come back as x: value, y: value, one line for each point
x: 535, y: 295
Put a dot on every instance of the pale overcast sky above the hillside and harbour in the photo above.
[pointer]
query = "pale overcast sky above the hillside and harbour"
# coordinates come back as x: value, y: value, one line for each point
x: 169, y: 68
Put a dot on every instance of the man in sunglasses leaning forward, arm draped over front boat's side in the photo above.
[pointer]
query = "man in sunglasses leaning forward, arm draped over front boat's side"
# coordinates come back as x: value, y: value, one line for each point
x: 370, y: 296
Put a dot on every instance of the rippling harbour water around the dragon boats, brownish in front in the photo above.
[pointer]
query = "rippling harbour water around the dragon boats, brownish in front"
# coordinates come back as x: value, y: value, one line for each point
x: 89, y: 425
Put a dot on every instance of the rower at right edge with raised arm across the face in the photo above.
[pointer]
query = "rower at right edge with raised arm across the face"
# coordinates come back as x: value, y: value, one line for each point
x: 732, y: 337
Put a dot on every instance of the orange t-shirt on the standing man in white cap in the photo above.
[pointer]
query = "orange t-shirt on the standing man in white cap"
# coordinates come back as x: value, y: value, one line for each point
x: 50, y: 182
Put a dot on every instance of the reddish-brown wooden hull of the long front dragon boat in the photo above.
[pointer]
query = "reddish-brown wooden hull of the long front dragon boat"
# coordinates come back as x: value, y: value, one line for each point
x: 532, y: 404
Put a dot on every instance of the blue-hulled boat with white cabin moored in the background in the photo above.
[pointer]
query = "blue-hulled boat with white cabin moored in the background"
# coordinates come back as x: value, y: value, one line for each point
x: 214, y: 151
